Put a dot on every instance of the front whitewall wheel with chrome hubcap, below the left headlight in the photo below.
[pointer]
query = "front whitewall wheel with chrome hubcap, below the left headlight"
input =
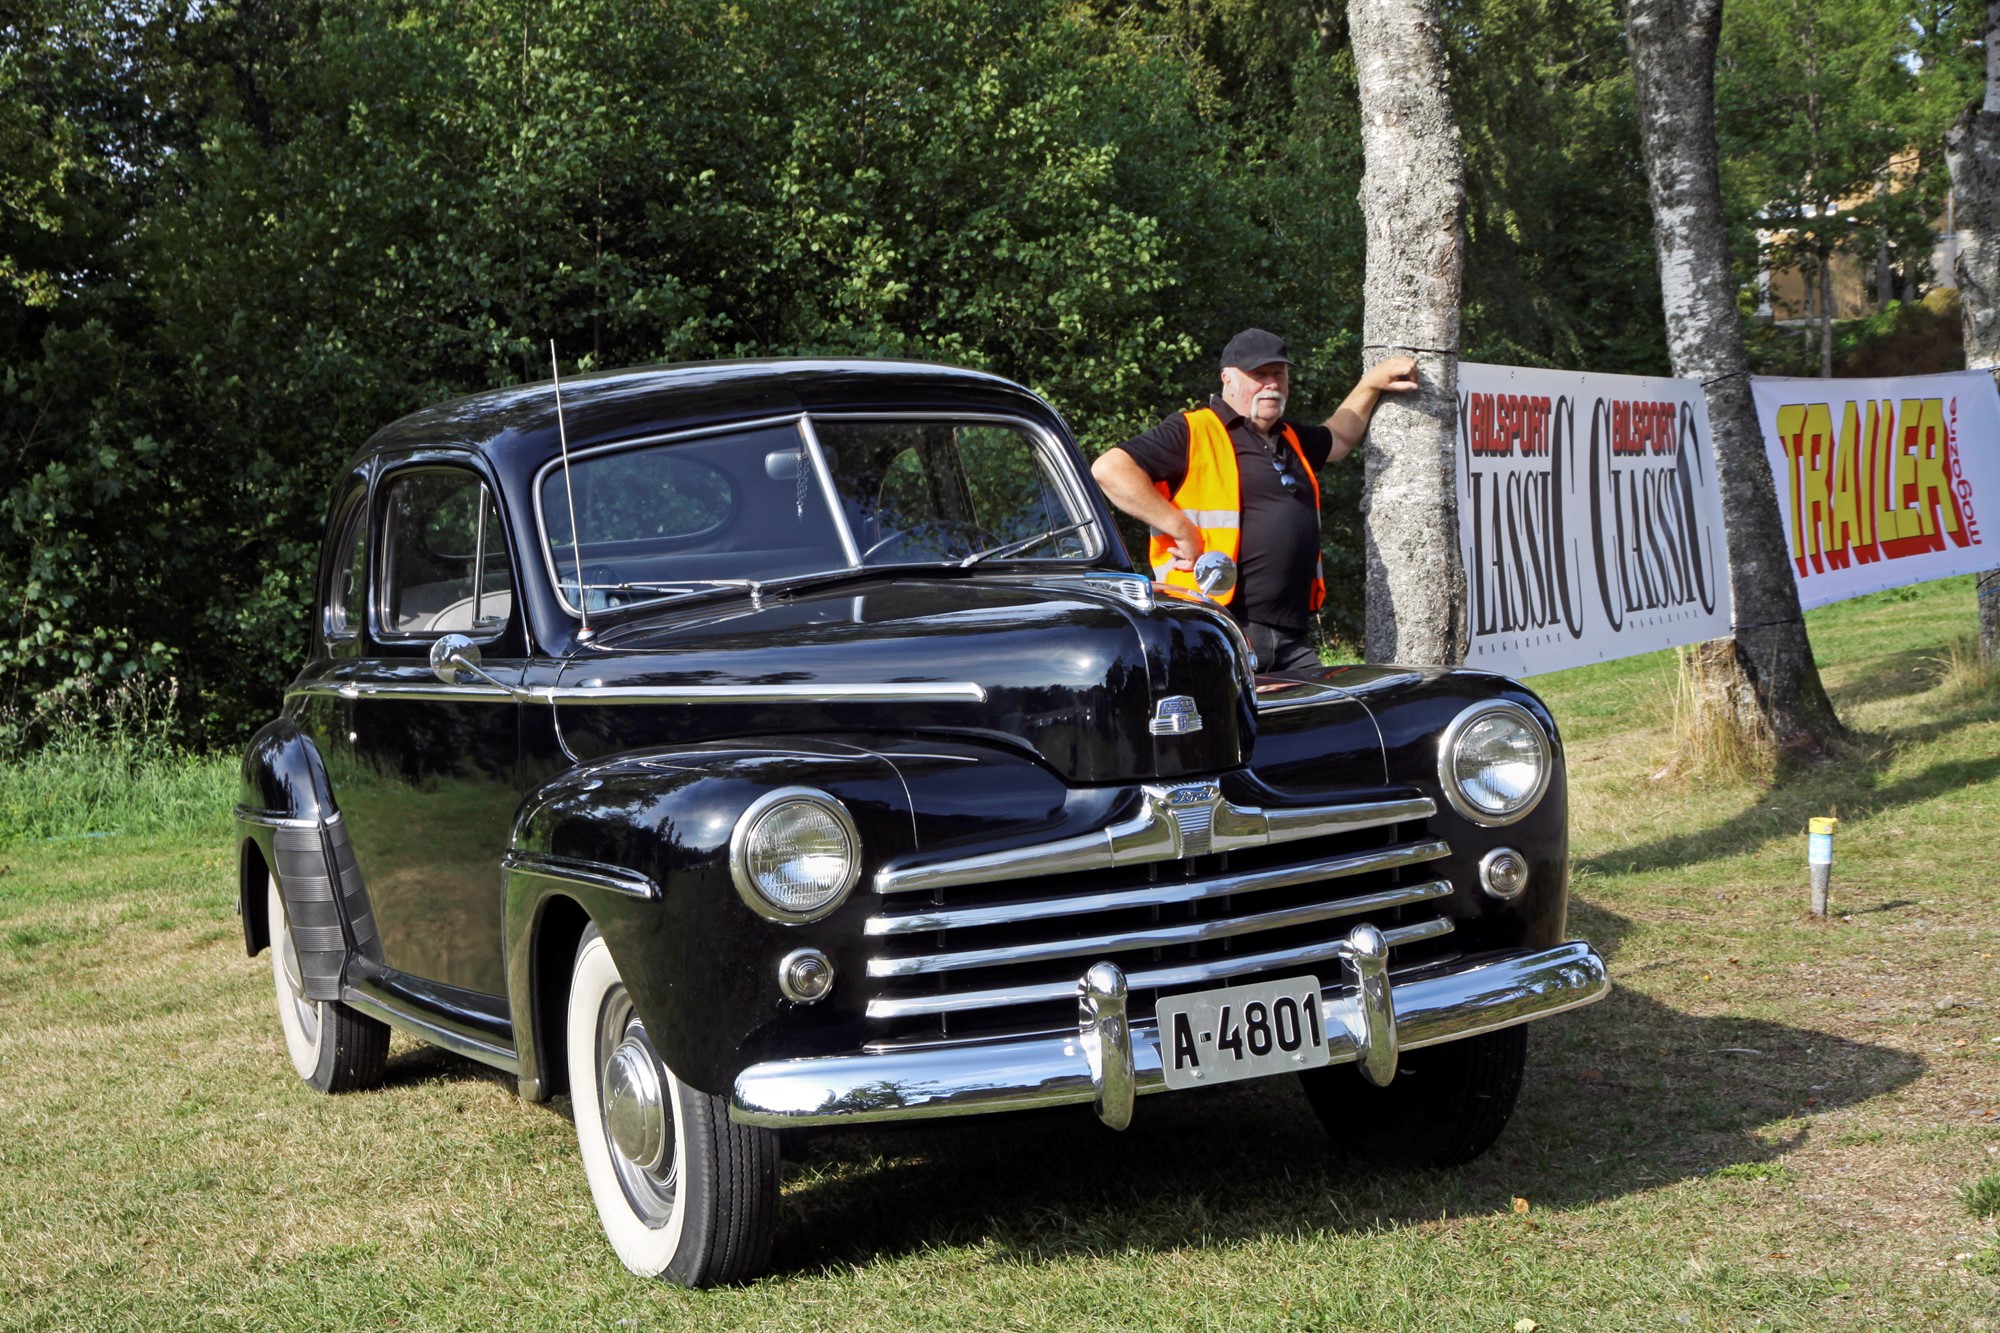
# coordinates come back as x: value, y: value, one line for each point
x: 683, y: 1194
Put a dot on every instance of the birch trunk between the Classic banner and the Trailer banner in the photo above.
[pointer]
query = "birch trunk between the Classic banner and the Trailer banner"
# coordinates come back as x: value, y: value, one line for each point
x: 1771, y: 688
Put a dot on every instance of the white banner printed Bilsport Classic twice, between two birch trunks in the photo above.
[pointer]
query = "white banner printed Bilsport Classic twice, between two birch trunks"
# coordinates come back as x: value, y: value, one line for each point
x: 1589, y: 517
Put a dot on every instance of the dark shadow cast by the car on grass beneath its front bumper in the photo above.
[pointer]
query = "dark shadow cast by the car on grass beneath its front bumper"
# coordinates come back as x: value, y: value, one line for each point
x: 1621, y: 1098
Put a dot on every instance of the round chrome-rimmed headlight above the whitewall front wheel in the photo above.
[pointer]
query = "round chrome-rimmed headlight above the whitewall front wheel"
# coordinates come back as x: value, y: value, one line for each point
x: 795, y: 854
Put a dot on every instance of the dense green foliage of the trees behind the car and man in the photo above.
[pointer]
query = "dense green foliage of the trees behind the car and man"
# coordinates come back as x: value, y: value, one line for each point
x: 237, y: 239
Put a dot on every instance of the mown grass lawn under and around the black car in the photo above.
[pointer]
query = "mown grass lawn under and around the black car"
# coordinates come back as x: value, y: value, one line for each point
x: 1773, y: 1124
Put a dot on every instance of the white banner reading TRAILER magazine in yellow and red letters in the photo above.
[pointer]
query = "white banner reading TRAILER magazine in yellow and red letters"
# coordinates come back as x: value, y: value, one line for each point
x: 1881, y: 483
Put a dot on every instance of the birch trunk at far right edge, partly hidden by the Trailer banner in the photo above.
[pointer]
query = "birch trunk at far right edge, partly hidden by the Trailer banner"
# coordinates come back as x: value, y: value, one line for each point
x: 1973, y: 151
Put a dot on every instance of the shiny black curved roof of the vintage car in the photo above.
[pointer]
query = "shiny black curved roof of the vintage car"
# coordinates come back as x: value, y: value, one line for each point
x: 517, y: 427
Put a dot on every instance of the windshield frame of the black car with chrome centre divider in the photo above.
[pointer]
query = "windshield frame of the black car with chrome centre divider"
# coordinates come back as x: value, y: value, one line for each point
x: 1059, y: 467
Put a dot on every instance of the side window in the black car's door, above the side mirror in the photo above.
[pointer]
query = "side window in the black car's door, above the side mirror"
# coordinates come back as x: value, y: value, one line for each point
x: 445, y: 565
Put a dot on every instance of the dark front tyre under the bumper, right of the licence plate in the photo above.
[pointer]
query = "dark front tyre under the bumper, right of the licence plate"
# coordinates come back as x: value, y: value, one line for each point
x: 1445, y: 1106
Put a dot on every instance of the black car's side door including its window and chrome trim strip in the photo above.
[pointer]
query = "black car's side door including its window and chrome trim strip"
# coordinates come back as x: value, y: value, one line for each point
x: 433, y: 780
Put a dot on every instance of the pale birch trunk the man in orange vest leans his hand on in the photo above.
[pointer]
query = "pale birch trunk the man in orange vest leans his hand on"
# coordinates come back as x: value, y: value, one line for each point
x: 1413, y: 205
